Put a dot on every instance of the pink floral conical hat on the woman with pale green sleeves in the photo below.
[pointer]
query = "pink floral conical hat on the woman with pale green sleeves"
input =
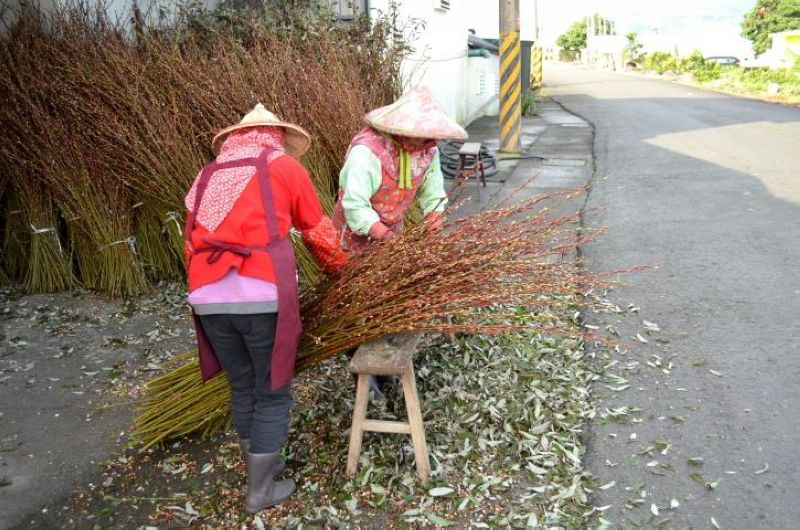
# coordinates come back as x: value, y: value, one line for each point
x: 418, y: 115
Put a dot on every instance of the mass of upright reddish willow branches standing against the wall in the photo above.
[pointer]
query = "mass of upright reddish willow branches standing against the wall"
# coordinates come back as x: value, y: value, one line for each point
x: 113, y: 140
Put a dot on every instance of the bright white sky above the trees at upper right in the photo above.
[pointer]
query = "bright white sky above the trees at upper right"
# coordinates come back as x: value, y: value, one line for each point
x: 711, y: 25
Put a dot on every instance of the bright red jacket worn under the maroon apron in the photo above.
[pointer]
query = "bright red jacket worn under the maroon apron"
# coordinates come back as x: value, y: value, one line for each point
x: 297, y: 205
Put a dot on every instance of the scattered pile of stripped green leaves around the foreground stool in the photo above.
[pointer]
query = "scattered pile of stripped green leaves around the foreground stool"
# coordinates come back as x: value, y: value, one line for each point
x: 504, y: 417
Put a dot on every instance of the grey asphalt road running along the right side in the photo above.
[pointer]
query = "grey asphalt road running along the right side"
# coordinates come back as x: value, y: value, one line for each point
x: 707, y: 187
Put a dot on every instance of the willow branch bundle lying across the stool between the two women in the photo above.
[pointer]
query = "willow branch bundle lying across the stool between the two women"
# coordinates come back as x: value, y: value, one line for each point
x: 419, y: 282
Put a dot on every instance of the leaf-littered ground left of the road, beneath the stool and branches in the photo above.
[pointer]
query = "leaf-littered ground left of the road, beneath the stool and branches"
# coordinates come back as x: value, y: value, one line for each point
x: 494, y: 462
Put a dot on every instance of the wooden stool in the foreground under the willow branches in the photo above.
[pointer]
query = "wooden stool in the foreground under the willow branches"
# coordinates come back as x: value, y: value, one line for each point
x: 392, y: 355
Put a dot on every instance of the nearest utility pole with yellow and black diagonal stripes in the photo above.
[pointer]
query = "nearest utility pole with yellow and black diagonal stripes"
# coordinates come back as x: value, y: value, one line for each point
x: 510, y: 84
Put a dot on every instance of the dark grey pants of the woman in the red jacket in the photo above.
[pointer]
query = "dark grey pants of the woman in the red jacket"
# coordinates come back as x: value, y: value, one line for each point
x: 243, y: 345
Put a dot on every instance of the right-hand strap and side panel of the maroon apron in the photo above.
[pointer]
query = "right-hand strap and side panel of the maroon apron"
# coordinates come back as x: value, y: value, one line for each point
x: 281, y: 251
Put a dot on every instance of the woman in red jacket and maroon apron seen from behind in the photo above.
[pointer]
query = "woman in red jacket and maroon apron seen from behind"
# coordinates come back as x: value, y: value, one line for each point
x: 243, y: 280
